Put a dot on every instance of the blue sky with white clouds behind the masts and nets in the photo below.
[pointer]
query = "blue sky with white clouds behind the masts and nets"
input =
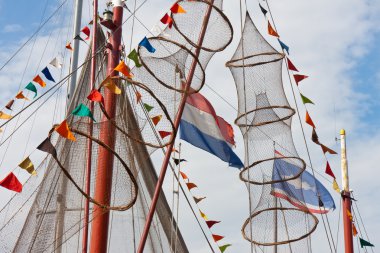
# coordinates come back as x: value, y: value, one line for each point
x: 333, y: 42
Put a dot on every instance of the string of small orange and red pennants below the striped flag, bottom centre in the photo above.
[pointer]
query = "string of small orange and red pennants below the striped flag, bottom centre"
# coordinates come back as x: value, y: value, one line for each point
x: 210, y: 223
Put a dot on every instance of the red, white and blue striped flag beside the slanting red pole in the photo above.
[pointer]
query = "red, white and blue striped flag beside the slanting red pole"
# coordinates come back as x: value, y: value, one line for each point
x: 201, y: 127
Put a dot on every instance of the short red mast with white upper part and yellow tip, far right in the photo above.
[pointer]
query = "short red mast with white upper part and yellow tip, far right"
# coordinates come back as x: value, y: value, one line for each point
x: 346, y: 198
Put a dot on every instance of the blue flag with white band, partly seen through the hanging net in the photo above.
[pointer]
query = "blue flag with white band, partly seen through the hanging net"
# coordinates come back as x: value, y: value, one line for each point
x: 305, y: 192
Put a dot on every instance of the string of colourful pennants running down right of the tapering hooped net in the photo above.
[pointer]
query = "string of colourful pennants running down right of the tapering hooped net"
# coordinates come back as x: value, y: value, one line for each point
x: 305, y: 100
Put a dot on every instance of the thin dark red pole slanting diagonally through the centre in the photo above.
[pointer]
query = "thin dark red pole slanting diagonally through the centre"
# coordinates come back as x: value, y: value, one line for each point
x: 177, y: 120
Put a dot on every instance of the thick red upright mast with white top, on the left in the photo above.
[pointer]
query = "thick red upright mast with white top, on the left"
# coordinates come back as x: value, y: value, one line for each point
x: 103, y: 182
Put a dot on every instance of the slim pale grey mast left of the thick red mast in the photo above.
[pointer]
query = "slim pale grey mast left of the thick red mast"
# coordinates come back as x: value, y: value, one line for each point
x: 75, y: 54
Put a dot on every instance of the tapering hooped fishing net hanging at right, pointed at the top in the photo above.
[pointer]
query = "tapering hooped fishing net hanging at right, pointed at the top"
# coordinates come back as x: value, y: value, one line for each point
x: 271, y: 163
